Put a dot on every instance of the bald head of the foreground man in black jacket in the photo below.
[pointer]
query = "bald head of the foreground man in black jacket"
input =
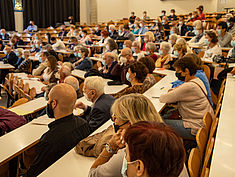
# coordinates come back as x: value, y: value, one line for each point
x: 65, y: 97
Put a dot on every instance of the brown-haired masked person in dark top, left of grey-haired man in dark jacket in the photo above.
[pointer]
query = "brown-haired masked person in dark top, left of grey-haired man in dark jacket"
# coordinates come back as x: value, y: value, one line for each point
x: 84, y: 63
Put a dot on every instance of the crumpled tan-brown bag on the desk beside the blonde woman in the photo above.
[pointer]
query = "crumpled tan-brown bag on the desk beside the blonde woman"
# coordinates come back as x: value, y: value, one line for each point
x: 92, y: 146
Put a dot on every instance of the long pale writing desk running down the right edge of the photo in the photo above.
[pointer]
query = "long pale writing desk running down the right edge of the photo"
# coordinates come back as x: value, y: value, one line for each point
x: 223, y: 159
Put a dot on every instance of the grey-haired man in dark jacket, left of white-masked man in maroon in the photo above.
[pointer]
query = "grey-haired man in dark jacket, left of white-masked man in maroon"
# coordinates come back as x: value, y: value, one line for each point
x: 109, y: 63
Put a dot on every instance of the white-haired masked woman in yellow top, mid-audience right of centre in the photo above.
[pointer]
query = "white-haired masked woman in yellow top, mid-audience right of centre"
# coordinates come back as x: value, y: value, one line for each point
x: 165, y: 57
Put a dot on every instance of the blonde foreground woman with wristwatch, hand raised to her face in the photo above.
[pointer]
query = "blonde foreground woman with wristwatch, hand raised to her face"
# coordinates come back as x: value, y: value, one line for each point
x: 126, y: 111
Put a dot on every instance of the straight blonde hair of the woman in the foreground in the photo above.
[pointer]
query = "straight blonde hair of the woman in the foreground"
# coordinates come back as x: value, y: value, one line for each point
x: 135, y: 108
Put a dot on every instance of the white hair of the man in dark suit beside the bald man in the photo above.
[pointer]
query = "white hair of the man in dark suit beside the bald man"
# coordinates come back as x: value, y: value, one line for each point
x: 95, y: 83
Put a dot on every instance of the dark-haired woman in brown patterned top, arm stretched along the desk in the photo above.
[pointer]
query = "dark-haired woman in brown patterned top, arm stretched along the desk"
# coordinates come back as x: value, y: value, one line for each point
x: 136, y: 75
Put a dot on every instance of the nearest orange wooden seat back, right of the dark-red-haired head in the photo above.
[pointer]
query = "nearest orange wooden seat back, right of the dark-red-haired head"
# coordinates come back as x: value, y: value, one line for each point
x: 194, y: 163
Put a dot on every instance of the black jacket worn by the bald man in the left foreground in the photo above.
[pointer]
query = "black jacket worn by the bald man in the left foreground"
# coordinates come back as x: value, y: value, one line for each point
x: 62, y: 136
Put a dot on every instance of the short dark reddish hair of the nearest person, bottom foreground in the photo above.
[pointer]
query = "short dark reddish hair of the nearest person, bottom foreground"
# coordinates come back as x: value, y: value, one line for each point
x: 158, y: 146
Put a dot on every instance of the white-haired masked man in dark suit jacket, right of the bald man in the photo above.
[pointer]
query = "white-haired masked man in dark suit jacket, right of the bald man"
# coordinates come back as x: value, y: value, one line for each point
x: 99, y: 113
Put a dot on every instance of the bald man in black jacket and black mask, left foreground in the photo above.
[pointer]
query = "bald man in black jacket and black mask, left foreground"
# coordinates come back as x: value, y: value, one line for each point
x: 63, y: 134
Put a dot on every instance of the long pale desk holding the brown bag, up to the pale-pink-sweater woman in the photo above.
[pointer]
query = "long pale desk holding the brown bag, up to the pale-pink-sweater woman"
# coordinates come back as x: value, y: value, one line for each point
x: 75, y: 165
